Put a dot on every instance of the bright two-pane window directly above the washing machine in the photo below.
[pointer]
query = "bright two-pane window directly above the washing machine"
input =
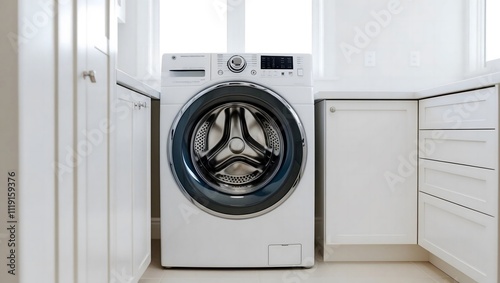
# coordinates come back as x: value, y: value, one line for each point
x: 278, y: 26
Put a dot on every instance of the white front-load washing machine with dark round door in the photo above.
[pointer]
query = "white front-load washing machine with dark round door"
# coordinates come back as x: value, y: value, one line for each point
x: 237, y: 160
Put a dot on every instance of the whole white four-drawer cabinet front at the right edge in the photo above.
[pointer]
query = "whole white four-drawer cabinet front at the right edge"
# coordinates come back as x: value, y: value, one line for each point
x: 458, y: 181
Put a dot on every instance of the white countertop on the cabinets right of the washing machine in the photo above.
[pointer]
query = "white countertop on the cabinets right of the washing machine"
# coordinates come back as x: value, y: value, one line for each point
x: 472, y: 83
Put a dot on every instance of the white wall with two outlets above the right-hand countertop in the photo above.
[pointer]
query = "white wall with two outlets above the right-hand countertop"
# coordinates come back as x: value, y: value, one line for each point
x: 393, y: 30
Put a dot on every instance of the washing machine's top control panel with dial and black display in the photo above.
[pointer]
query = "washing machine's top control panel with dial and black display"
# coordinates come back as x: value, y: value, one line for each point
x: 272, y: 69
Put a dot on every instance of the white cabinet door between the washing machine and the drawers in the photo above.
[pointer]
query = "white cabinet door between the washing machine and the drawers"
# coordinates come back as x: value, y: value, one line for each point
x: 370, y: 178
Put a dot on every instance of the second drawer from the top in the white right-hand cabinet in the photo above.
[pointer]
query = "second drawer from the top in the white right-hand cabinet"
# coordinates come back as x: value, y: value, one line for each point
x: 469, y: 147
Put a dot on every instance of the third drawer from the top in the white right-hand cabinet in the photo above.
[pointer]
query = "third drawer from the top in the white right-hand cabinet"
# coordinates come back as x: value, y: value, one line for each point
x: 473, y: 187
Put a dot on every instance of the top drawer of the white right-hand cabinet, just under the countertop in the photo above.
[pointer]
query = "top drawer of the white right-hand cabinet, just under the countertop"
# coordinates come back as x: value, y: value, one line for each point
x: 466, y: 110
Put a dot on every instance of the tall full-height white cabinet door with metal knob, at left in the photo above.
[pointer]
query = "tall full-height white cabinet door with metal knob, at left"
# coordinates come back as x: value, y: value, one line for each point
x: 92, y: 142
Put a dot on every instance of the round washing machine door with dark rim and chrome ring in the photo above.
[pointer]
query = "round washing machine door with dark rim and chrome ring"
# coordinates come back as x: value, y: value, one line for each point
x: 237, y: 150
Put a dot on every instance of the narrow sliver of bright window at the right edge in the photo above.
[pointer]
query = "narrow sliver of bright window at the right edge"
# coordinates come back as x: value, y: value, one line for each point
x: 492, y: 30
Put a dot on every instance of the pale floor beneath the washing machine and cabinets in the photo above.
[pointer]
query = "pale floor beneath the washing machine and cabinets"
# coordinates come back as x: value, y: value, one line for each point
x: 322, y: 272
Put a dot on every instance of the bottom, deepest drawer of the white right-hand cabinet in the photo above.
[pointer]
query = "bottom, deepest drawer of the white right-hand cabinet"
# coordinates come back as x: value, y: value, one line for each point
x: 464, y: 238
